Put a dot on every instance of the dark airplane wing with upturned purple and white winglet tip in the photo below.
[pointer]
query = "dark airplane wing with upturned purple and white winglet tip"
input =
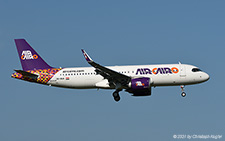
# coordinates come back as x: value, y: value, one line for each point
x: 113, y: 77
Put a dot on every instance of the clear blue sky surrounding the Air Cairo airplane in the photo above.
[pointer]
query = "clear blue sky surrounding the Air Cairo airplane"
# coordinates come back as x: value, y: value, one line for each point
x: 113, y: 33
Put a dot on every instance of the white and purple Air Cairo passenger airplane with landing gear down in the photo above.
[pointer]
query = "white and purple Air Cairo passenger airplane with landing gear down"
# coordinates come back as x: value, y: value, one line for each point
x: 137, y: 80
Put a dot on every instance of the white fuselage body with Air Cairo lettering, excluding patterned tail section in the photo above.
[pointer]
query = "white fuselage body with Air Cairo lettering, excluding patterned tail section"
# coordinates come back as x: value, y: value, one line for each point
x: 86, y: 77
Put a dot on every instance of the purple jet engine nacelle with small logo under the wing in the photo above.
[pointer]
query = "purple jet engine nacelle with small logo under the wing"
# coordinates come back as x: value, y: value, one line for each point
x: 140, y: 86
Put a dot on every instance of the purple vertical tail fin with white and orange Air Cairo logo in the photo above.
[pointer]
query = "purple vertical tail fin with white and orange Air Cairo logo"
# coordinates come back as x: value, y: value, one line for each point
x: 29, y: 58
